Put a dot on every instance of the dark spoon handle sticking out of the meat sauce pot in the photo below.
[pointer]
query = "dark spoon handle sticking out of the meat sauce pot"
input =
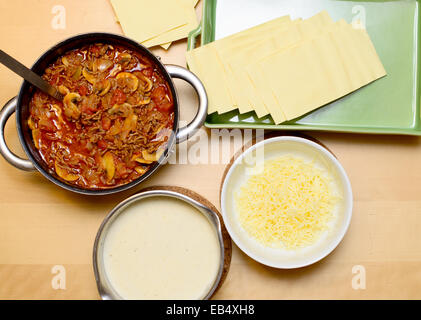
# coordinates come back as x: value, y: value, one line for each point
x: 29, y: 75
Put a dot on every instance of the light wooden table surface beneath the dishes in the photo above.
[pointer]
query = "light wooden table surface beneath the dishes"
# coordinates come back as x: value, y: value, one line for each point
x: 43, y: 226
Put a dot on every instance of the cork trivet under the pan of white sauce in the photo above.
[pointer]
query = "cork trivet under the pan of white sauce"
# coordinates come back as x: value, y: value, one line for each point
x: 225, y: 235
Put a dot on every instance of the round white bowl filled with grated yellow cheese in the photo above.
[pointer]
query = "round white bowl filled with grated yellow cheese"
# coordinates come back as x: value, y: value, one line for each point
x: 286, y: 202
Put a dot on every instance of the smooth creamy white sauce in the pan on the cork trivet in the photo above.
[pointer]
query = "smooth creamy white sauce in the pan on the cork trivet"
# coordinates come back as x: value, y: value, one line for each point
x: 161, y: 248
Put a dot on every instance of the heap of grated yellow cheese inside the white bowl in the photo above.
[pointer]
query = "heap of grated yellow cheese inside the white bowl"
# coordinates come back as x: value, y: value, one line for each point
x: 287, y: 204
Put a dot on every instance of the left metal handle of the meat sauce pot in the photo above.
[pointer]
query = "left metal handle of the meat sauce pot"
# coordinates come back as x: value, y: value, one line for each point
x: 14, y: 160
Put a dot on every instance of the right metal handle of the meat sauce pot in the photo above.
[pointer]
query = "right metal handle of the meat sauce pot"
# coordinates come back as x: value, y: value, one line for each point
x: 184, y: 74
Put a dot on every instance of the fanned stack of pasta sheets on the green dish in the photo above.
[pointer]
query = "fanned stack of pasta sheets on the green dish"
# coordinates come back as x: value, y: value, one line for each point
x: 286, y: 68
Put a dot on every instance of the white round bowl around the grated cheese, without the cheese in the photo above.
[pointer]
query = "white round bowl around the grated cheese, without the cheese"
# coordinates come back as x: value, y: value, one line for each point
x: 237, y: 176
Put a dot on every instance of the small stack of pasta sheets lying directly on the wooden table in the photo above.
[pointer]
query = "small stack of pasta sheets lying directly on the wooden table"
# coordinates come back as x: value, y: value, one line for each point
x: 157, y: 22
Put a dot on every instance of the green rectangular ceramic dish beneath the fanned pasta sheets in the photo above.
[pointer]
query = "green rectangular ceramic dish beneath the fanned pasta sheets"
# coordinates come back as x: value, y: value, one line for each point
x: 387, y: 106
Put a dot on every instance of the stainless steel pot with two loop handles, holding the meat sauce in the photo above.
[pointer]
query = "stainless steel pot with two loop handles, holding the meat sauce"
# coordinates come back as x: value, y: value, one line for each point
x: 20, y: 105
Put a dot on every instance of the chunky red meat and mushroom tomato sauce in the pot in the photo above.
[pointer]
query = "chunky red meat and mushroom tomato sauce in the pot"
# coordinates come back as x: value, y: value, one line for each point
x: 113, y: 123
